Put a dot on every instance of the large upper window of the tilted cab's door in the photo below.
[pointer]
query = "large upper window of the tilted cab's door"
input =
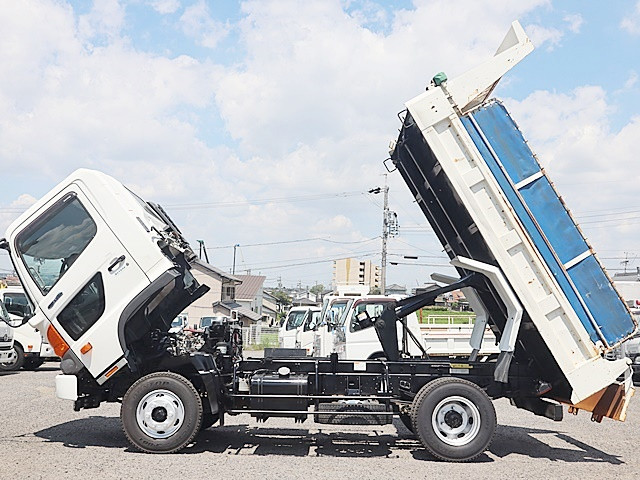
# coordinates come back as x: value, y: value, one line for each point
x: 54, y: 241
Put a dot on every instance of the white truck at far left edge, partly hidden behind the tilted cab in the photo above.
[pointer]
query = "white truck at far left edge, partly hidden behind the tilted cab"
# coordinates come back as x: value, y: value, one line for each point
x: 30, y: 348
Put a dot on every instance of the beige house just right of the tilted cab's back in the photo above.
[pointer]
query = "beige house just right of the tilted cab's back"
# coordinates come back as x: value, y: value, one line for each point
x: 222, y: 289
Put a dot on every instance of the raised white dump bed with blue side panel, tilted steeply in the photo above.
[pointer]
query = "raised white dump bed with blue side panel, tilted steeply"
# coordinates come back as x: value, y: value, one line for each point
x: 492, y: 205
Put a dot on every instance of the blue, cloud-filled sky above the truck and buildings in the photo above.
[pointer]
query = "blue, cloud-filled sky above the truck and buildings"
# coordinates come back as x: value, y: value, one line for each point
x: 264, y: 124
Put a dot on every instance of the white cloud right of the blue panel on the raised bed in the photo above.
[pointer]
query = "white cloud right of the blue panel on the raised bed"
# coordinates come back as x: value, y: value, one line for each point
x: 593, y: 165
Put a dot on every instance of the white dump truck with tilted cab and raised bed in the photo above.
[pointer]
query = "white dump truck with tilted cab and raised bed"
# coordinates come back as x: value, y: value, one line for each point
x: 108, y: 271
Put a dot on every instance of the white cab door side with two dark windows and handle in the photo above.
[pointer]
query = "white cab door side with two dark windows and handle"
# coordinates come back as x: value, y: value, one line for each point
x: 81, y: 276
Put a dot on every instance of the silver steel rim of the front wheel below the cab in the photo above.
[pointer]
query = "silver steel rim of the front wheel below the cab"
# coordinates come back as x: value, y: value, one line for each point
x: 160, y: 414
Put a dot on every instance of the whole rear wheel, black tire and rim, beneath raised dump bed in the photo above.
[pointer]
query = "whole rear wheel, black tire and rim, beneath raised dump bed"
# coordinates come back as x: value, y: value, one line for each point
x: 454, y: 419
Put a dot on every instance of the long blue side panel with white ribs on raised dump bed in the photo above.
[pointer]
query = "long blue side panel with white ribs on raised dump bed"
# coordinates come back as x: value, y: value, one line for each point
x: 548, y: 223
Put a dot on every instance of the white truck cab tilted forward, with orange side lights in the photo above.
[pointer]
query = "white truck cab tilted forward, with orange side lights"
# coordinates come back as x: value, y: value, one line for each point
x: 134, y: 262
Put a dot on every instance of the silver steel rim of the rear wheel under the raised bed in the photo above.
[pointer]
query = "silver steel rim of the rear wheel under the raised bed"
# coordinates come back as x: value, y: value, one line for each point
x: 456, y: 421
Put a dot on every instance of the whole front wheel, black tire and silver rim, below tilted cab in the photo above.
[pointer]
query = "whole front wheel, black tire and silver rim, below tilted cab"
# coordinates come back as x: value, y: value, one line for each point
x: 161, y: 413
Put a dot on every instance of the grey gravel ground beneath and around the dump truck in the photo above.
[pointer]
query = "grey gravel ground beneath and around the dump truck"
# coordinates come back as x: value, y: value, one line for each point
x: 42, y: 437
